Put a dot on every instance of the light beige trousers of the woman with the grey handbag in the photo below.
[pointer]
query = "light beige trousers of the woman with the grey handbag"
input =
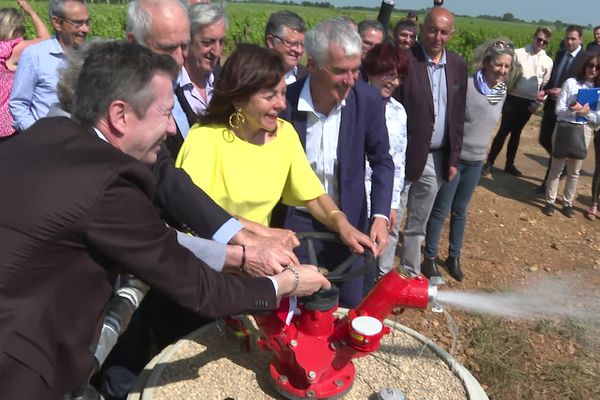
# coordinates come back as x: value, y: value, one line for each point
x: 573, y: 167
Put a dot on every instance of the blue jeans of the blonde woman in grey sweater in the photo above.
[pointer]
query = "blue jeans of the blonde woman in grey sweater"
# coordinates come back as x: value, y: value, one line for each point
x: 454, y: 195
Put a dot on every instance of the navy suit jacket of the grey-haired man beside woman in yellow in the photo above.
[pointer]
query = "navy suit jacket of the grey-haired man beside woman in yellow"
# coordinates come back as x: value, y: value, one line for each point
x: 362, y: 133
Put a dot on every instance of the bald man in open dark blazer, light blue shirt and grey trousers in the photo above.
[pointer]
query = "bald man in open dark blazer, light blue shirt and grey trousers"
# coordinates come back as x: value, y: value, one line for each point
x: 434, y: 96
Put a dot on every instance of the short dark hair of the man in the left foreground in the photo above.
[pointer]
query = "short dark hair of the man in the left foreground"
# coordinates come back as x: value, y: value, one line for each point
x: 117, y: 70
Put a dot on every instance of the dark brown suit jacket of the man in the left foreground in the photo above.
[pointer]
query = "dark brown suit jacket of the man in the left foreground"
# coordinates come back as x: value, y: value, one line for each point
x: 74, y: 212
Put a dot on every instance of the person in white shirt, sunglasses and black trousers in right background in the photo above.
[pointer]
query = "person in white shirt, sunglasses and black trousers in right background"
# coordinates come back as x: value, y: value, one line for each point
x: 524, y: 98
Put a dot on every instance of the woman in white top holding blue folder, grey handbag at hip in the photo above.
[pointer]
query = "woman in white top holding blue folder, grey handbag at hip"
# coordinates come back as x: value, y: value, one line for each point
x: 576, y: 116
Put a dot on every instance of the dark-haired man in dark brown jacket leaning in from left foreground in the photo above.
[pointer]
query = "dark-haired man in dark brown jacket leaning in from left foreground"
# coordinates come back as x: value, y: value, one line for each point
x: 76, y: 210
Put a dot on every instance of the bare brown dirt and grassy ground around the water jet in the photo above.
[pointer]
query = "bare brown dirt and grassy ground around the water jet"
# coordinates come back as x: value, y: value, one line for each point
x: 509, y: 243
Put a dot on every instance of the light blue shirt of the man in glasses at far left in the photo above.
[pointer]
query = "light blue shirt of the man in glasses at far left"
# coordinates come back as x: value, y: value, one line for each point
x: 34, y: 87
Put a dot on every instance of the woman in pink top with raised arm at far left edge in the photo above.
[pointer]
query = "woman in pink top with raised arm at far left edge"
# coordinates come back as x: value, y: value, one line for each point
x: 12, y: 44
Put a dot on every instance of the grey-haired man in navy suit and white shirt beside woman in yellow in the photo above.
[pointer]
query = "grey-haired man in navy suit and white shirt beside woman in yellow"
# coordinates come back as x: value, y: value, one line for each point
x: 340, y: 121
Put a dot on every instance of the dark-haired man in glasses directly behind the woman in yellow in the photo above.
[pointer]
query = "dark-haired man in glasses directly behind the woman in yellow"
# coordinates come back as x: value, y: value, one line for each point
x: 285, y: 34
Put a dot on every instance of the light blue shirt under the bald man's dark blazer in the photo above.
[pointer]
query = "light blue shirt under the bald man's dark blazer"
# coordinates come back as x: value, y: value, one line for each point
x: 439, y: 93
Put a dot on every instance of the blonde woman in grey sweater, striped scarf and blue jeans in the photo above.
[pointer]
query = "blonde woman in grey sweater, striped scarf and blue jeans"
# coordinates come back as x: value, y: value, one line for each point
x: 495, y: 69
